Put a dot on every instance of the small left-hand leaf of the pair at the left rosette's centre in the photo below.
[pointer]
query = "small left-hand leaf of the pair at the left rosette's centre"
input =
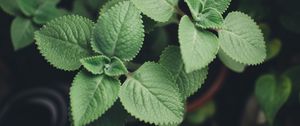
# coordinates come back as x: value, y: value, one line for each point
x: 95, y: 64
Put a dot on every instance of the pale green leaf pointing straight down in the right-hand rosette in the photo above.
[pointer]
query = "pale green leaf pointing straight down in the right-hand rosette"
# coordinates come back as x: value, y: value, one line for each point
x: 198, y: 47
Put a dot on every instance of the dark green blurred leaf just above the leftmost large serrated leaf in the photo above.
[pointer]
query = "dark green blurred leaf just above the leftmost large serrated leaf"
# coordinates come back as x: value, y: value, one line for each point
x: 47, y: 12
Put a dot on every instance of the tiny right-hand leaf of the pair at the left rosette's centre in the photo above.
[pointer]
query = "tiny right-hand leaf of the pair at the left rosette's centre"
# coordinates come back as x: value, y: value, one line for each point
x: 115, y: 68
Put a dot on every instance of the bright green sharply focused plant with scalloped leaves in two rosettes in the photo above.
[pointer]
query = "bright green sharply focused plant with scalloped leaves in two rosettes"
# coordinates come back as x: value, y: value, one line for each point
x: 155, y: 92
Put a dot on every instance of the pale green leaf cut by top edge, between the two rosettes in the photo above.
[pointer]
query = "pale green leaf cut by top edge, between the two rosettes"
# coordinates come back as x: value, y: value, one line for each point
x: 158, y: 10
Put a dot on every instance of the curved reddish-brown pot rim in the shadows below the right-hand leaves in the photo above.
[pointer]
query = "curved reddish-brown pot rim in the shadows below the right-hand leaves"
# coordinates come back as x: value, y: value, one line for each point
x: 198, y: 103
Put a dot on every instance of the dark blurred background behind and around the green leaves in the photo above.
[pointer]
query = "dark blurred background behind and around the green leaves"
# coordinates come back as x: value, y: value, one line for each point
x: 33, y: 93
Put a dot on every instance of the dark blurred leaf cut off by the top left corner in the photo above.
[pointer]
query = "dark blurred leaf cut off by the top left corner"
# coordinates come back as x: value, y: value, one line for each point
x: 10, y: 7
